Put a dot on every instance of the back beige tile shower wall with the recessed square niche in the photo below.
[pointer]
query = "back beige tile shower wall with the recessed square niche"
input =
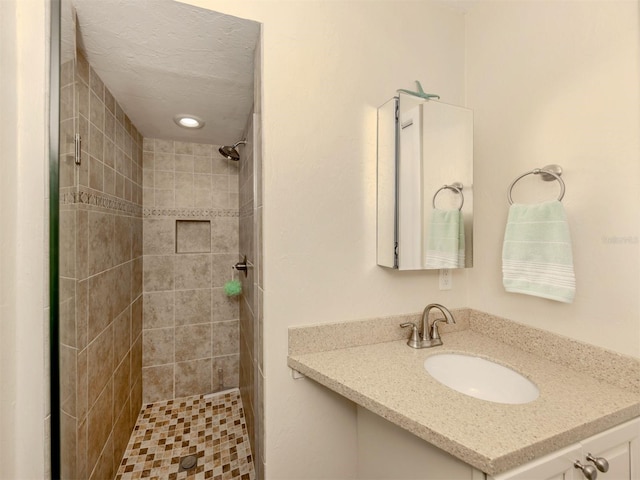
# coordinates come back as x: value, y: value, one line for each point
x: 190, y: 327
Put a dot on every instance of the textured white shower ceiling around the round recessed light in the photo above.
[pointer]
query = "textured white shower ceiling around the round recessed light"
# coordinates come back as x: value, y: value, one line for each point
x: 161, y: 58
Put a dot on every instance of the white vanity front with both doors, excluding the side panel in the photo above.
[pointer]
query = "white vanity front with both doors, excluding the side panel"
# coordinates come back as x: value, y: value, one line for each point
x: 620, y: 446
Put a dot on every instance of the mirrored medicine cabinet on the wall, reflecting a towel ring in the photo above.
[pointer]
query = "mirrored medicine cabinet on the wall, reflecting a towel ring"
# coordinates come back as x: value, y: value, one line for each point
x: 424, y: 184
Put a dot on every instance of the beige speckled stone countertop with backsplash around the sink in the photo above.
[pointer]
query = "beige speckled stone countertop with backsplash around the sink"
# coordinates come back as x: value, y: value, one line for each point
x: 389, y: 379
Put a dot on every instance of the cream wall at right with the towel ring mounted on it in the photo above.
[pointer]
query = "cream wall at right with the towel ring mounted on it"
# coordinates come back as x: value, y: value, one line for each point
x: 557, y: 82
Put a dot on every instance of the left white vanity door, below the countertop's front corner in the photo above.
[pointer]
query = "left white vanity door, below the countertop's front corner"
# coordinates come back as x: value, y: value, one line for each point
x: 555, y: 466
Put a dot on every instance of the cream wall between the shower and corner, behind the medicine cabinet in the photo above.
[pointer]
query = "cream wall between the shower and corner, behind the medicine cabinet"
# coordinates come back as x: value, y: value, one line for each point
x: 327, y: 66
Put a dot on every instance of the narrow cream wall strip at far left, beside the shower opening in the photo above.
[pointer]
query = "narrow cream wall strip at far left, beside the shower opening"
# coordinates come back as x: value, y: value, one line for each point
x: 23, y: 150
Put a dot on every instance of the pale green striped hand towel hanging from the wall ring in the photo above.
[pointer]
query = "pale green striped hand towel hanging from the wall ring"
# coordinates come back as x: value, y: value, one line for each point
x: 536, y: 255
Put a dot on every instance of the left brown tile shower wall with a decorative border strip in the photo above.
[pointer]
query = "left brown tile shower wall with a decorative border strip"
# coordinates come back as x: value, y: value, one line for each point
x: 101, y: 280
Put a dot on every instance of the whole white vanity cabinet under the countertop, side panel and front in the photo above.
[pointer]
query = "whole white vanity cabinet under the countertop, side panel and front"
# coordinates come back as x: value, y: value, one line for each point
x: 388, y: 452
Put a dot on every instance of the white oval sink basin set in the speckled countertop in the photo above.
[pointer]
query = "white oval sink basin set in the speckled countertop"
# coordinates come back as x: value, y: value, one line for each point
x: 481, y: 378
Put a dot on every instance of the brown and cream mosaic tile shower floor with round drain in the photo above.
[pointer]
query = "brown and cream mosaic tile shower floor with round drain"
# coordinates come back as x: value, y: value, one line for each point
x: 212, y: 428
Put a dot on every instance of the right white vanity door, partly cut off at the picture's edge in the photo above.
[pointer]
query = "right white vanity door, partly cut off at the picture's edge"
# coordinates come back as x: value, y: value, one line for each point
x: 620, y: 446
